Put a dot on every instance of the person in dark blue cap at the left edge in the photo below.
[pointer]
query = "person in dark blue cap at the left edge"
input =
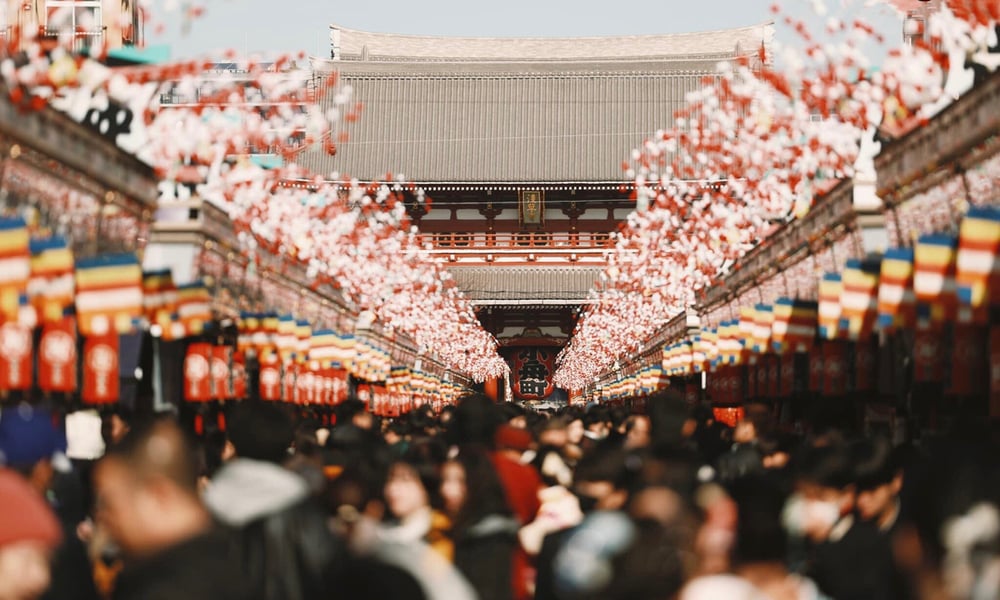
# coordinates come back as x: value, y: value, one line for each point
x: 31, y: 445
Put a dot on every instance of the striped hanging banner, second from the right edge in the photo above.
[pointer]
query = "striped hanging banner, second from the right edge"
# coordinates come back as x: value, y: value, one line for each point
x: 934, y: 279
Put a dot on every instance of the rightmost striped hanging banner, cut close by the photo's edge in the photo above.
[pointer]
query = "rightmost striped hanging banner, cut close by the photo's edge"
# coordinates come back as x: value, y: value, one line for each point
x: 978, y: 264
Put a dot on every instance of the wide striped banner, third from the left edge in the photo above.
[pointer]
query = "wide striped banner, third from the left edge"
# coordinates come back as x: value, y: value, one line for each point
x: 108, y: 294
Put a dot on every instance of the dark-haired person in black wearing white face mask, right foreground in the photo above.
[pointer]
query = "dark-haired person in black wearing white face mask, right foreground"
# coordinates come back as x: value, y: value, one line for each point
x: 845, y: 556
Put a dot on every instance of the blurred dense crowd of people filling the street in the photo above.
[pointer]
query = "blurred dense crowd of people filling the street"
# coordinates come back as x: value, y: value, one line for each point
x: 497, y: 502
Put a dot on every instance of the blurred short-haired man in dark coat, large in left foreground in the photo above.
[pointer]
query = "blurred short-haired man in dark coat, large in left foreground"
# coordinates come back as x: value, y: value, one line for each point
x: 147, y: 499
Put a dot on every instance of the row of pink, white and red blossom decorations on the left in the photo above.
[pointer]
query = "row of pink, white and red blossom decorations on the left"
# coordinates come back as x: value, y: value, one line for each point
x: 352, y: 235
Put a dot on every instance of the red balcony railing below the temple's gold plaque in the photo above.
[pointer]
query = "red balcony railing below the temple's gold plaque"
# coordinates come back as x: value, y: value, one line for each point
x: 563, y: 240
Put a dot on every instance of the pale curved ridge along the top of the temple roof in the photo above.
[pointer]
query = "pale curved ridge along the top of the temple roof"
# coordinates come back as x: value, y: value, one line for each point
x: 354, y: 44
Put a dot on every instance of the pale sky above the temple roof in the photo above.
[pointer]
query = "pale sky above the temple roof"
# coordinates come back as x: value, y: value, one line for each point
x: 276, y: 26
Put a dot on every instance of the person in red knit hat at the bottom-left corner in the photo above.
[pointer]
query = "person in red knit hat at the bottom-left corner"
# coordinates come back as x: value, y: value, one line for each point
x: 29, y: 533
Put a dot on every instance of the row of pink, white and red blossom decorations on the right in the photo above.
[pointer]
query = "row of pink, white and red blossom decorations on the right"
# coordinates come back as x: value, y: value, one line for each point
x: 775, y: 141
